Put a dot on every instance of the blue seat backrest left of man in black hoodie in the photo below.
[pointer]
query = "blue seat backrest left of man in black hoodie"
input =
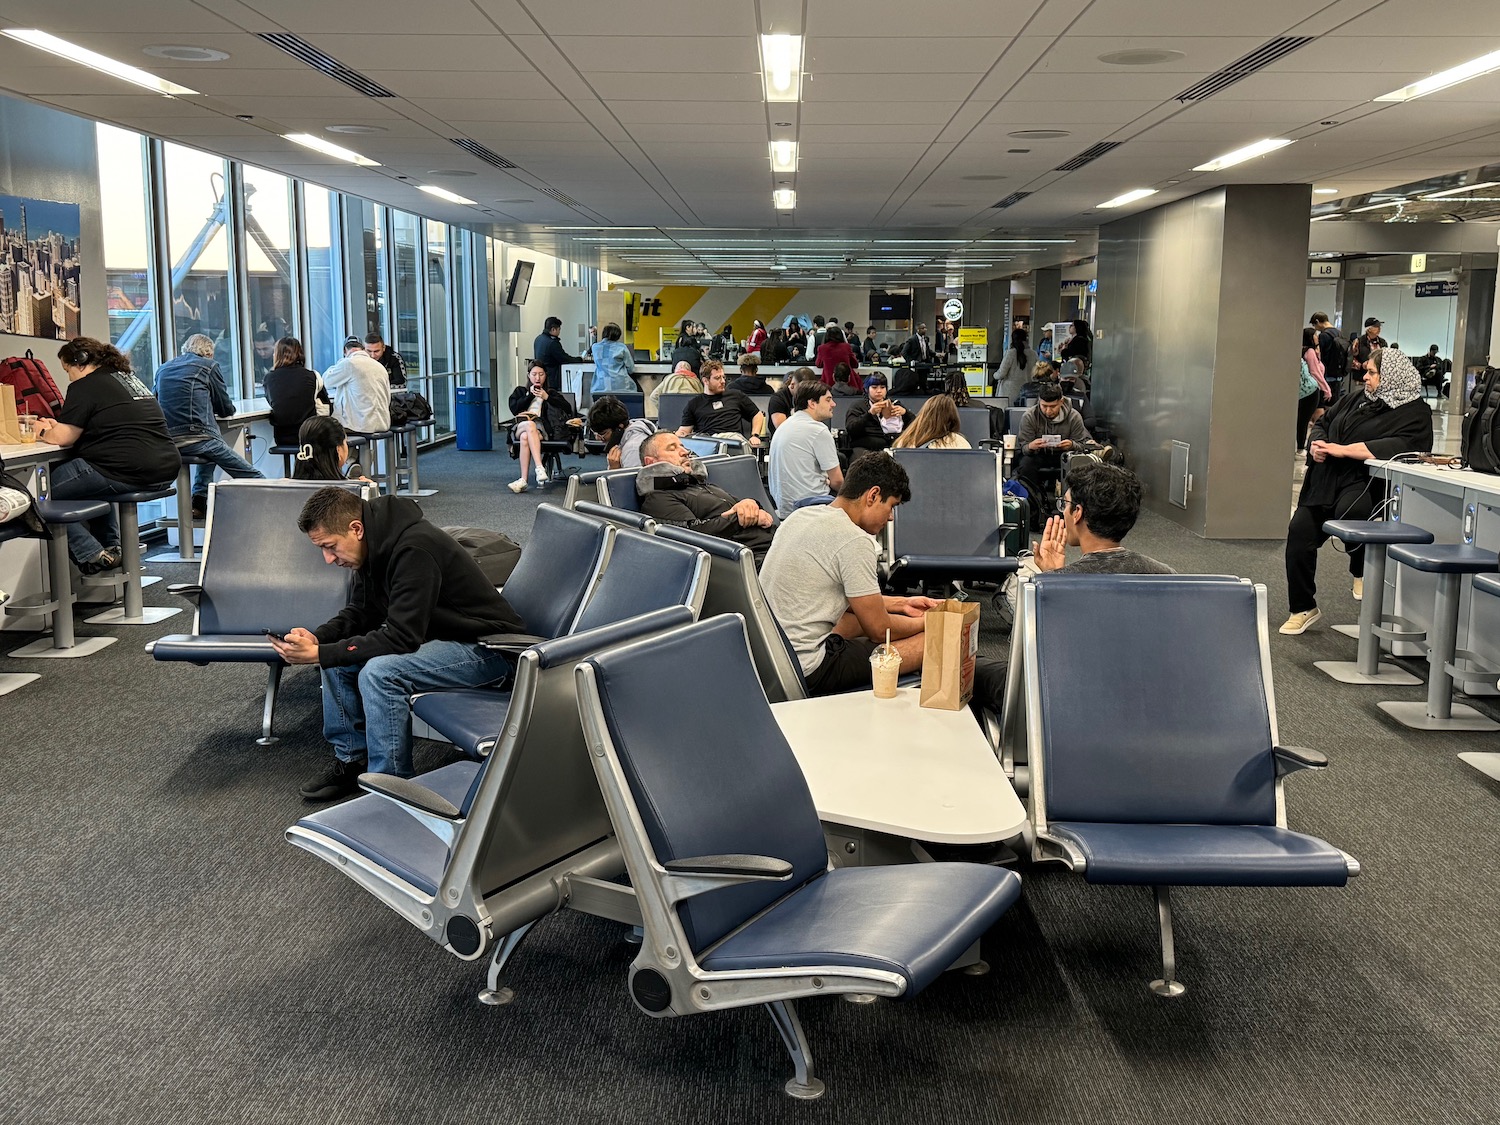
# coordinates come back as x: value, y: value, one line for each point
x: 259, y: 571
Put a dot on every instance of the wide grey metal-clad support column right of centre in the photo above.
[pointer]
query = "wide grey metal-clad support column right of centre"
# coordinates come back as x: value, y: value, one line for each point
x: 1181, y: 373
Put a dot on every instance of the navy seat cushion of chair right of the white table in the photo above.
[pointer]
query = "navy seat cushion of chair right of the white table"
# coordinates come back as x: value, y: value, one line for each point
x: 1204, y: 856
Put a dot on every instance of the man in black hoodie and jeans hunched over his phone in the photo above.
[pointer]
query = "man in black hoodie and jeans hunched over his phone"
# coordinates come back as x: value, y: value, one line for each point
x: 413, y: 623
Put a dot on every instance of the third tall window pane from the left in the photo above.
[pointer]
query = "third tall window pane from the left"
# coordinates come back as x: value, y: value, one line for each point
x: 271, y: 292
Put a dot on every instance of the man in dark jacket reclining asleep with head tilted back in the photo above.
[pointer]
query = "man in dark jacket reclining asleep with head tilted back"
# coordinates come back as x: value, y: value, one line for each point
x: 674, y: 490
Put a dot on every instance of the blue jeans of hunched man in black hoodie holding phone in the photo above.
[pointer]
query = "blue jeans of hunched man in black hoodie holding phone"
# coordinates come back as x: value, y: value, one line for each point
x: 367, y: 710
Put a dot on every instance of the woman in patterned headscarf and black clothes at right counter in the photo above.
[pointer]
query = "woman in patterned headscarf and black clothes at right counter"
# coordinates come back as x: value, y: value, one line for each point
x: 1387, y: 421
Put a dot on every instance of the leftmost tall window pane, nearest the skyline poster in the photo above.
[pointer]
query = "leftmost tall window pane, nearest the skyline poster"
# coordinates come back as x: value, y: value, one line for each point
x: 128, y: 248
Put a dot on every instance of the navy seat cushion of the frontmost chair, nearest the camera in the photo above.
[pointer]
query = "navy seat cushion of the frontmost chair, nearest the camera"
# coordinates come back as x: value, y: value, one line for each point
x: 914, y: 920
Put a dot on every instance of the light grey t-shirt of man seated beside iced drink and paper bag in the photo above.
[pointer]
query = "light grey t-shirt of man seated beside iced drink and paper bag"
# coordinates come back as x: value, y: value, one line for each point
x: 818, y: 562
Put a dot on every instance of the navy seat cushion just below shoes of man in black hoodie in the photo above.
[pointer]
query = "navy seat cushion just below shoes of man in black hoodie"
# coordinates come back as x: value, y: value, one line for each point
x: 377, y: 829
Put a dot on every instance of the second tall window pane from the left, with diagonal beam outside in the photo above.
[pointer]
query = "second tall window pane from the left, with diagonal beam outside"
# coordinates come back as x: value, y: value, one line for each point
x: 197, y: 244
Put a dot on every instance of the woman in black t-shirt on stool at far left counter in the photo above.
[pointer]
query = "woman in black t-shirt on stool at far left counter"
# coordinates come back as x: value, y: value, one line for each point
x: 119, y: 439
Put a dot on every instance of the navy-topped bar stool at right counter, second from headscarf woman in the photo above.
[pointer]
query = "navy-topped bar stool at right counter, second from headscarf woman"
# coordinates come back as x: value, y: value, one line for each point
x: 1450, y: 562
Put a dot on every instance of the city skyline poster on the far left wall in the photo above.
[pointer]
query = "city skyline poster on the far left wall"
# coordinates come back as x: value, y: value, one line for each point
x: 40, y: 284
